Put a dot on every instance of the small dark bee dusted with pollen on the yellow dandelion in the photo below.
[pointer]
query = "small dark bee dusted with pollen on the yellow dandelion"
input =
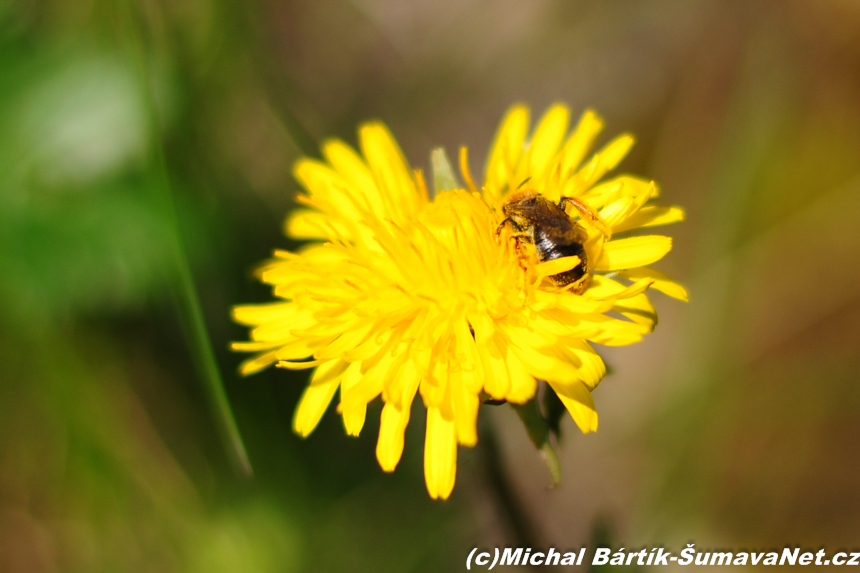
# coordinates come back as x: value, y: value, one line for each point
x: 546, y: 225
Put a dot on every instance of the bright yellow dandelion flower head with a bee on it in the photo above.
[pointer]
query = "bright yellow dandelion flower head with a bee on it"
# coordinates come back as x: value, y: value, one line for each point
x: 400, y: 294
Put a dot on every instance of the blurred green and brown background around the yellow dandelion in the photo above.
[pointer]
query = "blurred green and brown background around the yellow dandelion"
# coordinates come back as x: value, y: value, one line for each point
x: 145, y: 156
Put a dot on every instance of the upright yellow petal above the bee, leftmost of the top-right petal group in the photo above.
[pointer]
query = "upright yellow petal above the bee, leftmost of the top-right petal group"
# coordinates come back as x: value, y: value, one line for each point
x: 506, y: 150
